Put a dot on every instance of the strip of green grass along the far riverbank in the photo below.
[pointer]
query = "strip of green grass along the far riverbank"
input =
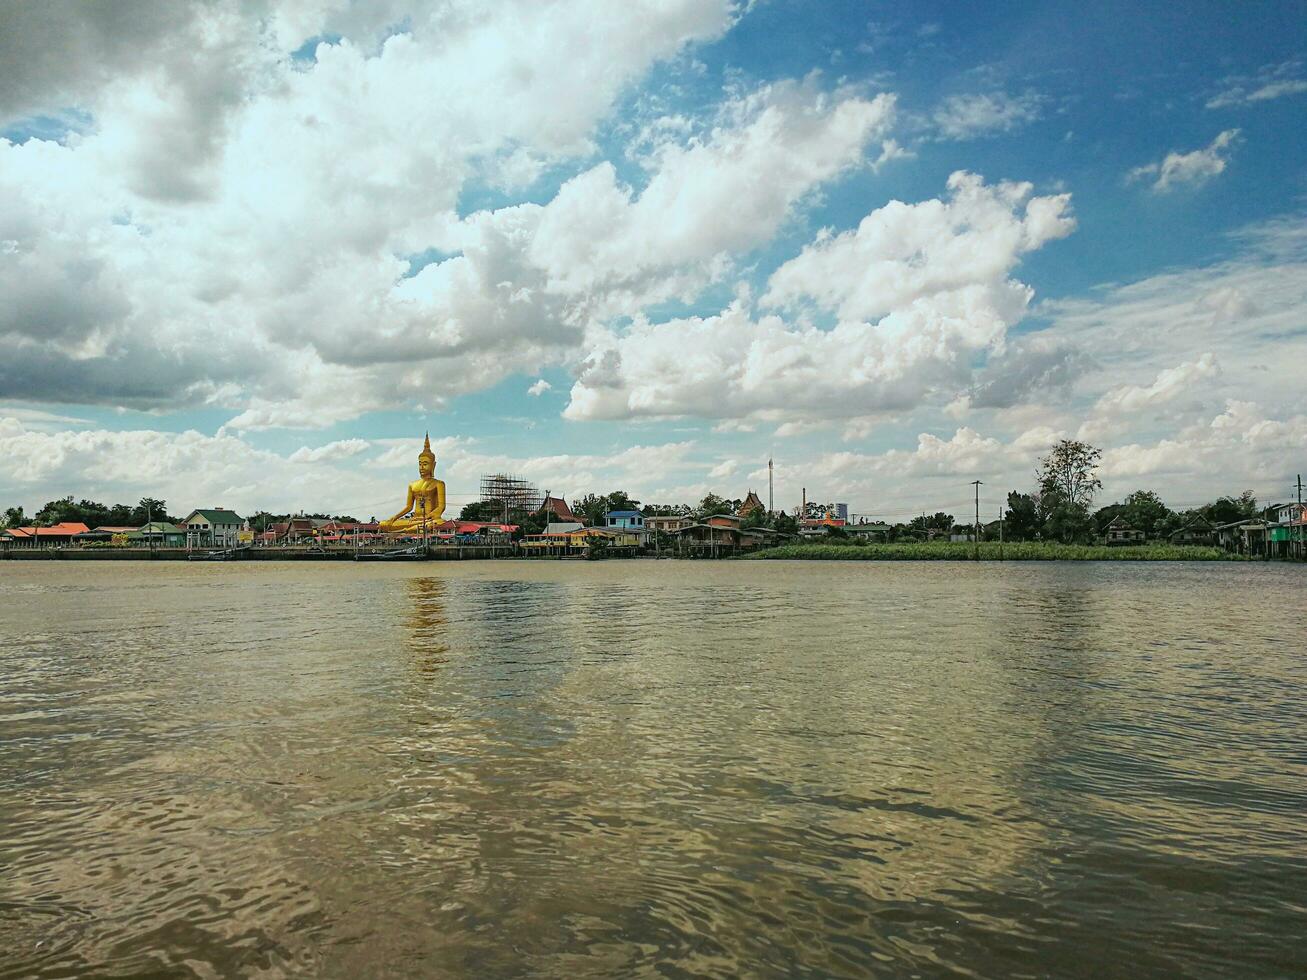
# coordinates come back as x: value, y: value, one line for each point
x: 990, y: 552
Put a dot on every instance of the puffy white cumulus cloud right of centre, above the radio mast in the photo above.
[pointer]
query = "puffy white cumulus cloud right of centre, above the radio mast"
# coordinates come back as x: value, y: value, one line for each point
x: 918, y: 292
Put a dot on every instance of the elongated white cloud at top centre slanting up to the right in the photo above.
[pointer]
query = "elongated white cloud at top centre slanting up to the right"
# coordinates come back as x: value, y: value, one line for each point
x: 706, y: 199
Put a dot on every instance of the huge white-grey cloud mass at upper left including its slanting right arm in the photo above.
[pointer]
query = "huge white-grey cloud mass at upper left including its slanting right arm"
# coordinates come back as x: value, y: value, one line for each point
x: 107, y: 270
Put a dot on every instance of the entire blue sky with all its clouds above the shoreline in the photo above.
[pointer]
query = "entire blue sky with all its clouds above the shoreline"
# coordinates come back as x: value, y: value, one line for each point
x: 265, y: 250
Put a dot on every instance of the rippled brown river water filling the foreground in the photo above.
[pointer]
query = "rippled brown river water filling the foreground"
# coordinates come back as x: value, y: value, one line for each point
x: 653, y: 769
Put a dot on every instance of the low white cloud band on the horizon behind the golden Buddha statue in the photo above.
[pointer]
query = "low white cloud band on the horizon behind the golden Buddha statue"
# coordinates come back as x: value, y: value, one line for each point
x: 191, y: 470
